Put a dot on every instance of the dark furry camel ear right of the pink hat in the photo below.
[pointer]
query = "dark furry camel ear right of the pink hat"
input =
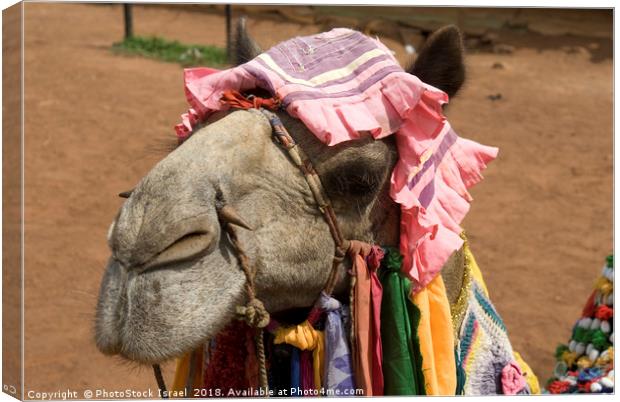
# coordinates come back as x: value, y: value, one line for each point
x: 440, y: 62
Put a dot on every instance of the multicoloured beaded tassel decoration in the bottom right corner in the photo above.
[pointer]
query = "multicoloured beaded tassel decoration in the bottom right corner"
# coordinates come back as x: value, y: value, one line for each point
x: 586, y: 364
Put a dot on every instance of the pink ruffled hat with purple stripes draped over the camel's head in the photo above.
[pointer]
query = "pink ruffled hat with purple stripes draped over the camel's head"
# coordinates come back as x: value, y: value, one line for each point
x: 435, y: 166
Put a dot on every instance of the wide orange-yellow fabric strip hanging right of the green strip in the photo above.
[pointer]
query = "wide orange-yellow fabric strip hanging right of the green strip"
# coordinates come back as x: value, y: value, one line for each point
x: 436, y: 338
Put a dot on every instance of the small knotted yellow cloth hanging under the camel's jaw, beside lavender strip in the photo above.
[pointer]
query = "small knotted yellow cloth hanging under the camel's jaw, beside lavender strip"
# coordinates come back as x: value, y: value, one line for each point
x: 305, y: 337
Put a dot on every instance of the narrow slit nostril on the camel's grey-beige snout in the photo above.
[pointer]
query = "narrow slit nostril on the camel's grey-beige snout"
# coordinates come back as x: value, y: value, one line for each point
x: 188, y: 247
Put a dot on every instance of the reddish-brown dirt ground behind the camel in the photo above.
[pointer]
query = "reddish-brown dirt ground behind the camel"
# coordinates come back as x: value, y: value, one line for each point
x: 540, y: 227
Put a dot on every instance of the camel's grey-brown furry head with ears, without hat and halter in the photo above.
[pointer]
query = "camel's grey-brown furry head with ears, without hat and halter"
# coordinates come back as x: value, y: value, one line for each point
x: 173, y: 280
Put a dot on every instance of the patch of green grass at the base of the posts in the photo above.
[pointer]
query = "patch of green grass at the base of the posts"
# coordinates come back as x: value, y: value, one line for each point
x: 172, y: 51
